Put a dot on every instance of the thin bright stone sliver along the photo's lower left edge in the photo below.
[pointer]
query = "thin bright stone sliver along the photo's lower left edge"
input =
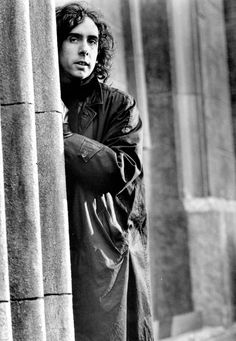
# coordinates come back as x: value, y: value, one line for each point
x: 5, y: 315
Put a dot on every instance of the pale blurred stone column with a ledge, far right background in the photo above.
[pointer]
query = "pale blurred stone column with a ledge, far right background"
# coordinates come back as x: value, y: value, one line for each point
x: 205, y: 152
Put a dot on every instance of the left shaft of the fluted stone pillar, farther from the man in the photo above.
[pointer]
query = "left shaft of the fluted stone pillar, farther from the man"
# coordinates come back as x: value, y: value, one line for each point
x: 20, y: 173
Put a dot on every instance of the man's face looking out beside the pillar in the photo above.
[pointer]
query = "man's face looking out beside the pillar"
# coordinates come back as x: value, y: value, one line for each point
x: 78, y: 53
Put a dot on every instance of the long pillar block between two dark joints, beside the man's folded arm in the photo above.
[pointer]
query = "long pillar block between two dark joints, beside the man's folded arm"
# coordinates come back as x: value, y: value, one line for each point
x: 53, y: 204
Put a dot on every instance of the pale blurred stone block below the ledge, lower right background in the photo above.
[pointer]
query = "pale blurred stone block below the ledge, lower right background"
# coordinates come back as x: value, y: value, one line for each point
x: 212, y: 292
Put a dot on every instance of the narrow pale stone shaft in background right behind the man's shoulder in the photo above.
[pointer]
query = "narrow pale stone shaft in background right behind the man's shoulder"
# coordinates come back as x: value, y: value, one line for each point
x: 136, y: 78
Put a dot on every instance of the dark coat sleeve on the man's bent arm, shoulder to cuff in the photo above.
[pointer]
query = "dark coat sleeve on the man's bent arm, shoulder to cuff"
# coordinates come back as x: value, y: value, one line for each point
x: 112, y: 165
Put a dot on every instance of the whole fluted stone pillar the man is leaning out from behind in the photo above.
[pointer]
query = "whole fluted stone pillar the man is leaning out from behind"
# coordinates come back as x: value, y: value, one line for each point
x: 34, y: 235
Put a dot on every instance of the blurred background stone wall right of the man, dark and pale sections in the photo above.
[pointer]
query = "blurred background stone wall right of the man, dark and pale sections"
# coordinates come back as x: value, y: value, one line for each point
x: 192, y: 242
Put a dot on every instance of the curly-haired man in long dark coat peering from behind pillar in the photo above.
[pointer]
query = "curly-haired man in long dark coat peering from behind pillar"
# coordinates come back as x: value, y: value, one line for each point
x: 107, y: 218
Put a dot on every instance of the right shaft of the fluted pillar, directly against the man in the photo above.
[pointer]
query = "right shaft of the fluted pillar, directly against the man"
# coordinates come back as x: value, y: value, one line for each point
x: 53, y: 202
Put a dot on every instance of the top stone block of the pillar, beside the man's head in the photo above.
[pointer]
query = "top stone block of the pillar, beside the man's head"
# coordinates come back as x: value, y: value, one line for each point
x: 45, y: 56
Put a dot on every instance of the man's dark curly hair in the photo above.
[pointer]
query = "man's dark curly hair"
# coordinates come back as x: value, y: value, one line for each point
x: 71, y: 15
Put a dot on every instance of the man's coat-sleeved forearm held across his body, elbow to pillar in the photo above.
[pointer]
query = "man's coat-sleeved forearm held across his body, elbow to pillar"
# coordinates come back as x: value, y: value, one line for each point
x: 98, y: 166
